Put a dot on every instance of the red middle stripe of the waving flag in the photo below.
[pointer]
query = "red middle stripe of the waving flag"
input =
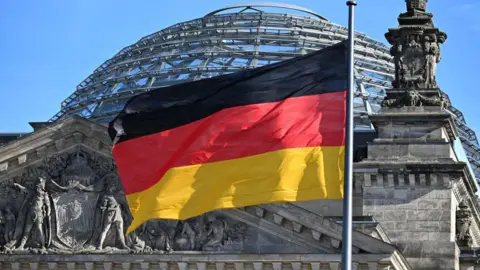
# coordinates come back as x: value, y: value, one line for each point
x: 236, y: 132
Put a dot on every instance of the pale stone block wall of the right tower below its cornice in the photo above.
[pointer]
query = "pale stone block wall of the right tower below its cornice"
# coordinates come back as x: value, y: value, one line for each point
x: 417, y: 212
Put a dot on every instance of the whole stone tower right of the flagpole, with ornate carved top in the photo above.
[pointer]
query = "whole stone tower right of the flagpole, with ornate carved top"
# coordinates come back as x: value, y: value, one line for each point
x: 412, y: 182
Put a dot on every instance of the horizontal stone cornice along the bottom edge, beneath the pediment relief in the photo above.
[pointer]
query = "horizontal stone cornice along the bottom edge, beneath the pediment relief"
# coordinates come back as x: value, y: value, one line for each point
x: 200, y: 261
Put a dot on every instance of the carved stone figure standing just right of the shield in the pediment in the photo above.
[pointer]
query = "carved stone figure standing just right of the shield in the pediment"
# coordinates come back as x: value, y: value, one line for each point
x: 111, y: 216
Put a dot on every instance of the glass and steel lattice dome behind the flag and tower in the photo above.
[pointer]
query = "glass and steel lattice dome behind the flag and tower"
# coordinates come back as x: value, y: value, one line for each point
x: 231, y: 39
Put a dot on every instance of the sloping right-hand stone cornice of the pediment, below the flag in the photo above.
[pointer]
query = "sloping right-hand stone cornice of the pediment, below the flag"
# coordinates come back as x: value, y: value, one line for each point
x: 305, y: 229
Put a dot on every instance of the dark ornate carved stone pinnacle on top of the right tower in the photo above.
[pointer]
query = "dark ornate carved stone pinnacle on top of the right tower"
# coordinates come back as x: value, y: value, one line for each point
x: 416, y: 53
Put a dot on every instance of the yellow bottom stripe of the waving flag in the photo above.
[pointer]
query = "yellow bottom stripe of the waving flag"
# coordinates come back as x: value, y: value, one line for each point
x: 297, y: 174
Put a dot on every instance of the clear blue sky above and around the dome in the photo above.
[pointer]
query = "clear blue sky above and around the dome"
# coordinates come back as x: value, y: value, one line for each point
x: 47, y: 47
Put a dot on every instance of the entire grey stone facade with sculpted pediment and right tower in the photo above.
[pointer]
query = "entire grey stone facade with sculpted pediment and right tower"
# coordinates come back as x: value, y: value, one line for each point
x: 62, y: 205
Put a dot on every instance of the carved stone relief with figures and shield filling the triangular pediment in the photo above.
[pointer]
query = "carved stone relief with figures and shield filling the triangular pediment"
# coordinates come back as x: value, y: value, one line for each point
x: 75, y: 203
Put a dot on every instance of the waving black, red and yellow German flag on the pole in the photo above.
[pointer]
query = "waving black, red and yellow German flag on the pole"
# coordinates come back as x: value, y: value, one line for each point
x: 270, y: 134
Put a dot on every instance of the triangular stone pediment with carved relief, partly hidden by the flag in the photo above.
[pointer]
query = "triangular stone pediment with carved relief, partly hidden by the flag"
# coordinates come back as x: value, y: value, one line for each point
x: 60, y: 193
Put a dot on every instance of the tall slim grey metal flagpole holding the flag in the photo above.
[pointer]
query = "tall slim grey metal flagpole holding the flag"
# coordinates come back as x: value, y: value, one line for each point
x: 348, y: 185
